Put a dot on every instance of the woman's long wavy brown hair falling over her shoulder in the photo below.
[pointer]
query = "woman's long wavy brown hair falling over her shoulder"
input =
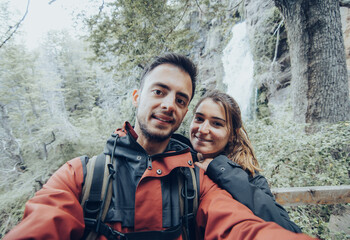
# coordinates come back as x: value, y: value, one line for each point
x: 239, y: 148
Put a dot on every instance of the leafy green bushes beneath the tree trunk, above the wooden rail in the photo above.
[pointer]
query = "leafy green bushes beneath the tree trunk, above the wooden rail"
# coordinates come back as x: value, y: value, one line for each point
x: 290, y: 157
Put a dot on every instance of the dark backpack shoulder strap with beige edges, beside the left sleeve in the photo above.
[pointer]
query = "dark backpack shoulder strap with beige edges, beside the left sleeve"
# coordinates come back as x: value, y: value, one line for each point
x: 96, y: 197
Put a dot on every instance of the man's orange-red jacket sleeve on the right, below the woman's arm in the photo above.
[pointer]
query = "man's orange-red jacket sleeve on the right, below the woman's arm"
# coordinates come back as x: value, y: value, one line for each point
x: 219, y: 216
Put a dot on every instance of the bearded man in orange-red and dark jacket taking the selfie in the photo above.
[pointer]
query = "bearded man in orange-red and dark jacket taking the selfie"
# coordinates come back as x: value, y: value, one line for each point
x: 146, y: 160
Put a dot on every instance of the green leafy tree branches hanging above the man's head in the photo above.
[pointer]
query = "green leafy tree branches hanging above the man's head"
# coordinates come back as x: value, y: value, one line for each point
x: 129, y: 33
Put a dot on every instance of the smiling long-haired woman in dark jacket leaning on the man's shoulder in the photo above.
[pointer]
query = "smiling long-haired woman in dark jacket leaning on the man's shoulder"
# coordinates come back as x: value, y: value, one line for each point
x: 228, y: 158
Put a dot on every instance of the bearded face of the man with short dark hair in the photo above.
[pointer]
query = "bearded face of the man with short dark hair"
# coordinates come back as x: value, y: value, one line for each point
x: 162, y: 103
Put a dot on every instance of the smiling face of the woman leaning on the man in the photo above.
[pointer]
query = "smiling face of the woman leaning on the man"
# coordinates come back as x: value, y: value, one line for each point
x: 209, y: 133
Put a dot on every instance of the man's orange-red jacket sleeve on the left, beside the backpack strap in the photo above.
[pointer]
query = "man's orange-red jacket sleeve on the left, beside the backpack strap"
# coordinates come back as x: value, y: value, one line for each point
x: 54, y: 212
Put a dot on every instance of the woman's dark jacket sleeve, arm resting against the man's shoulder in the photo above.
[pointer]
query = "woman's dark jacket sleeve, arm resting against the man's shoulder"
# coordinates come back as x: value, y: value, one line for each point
x: 254, y: 192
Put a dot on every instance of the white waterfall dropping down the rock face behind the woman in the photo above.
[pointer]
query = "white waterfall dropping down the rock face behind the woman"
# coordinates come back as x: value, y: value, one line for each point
x: 238, y: 66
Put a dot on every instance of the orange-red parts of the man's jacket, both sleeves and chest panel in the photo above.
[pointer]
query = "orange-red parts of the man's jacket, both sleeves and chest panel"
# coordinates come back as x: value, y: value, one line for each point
x: 55, y: 212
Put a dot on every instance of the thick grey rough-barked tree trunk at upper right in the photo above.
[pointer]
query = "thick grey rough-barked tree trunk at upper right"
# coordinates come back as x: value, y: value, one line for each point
x: 319, y: 74
